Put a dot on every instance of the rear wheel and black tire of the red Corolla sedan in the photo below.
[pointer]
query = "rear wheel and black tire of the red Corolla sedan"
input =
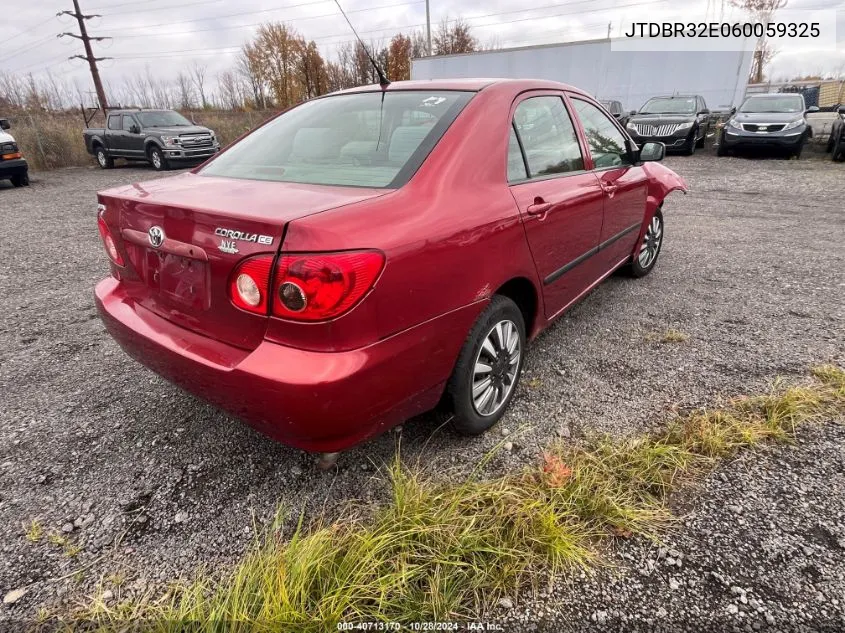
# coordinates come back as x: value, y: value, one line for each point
x: 495, y: 344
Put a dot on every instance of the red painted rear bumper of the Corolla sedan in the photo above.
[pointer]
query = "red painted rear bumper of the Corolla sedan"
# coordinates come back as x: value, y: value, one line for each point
x: 316, y: 401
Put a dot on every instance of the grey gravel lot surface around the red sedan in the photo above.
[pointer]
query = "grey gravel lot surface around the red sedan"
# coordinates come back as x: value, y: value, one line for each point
x: 97, y: 449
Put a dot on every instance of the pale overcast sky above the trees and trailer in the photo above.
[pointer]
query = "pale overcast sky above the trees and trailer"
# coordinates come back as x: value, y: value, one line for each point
x: 169, y: 35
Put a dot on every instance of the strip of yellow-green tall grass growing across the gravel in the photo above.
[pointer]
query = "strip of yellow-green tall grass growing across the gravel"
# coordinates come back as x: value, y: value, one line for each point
x: 441, y: 550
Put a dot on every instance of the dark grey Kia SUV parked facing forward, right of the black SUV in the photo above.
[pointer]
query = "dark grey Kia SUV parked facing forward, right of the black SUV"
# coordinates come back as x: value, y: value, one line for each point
x: 770, y: 121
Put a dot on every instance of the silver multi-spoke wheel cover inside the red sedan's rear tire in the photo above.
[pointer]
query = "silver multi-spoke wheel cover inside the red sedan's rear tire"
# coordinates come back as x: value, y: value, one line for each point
x: 495, y: 369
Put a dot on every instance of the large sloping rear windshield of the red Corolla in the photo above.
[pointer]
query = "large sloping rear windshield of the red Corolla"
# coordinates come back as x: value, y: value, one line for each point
x: 367, y: 139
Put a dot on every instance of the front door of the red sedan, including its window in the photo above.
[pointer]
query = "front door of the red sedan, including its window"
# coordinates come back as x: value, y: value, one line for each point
x: 625, y: 185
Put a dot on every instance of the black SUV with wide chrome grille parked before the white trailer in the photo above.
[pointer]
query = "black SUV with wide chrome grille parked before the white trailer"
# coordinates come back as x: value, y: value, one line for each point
x: 680, y: 122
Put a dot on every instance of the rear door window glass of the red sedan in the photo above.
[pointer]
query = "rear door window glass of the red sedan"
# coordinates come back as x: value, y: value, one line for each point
x: 548, y: 137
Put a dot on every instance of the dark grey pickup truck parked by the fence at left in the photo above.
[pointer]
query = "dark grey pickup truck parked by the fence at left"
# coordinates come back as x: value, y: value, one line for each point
x: 160, y: 137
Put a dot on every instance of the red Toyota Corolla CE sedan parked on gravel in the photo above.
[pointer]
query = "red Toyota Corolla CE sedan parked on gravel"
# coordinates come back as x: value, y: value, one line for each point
x: 375, y: 253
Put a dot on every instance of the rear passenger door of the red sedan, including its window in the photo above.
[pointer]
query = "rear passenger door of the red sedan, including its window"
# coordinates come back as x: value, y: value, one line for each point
x: 559, y: 200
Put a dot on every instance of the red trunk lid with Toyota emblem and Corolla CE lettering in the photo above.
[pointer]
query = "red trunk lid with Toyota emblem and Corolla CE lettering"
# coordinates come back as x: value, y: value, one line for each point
x: 184, y: 236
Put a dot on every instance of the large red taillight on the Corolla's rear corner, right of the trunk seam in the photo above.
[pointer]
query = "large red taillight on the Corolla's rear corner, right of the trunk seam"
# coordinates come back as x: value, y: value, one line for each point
x: 319, y: 286
